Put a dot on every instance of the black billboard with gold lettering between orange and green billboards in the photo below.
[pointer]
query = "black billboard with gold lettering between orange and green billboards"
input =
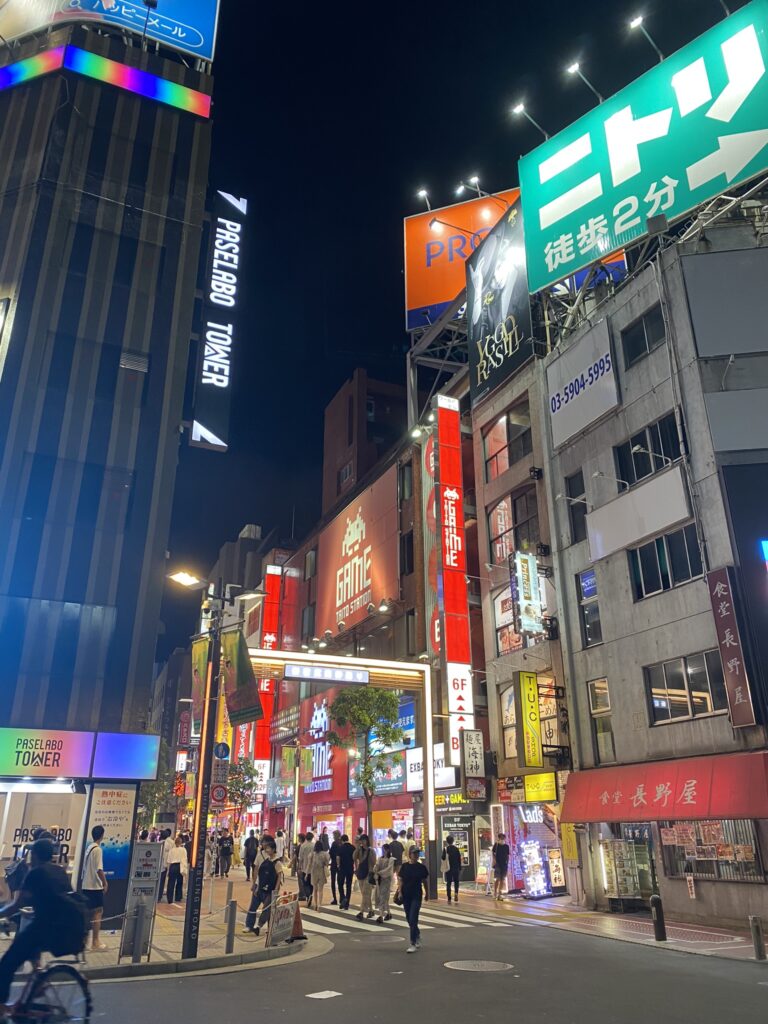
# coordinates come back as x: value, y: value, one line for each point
x: 499, y: 326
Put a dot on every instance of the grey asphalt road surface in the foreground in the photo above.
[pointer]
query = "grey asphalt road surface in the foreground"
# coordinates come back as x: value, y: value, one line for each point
x: 558, y: 978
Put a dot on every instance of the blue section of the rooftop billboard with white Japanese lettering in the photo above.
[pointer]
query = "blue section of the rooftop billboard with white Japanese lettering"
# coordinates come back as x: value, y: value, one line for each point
x: 186, y: 25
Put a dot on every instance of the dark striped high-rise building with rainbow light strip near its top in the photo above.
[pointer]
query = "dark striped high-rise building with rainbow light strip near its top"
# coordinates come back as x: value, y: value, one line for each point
x: 102, y: 208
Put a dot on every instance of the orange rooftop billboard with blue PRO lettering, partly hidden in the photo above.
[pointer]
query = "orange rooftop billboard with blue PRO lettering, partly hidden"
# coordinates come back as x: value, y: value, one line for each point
x: 438, y: 243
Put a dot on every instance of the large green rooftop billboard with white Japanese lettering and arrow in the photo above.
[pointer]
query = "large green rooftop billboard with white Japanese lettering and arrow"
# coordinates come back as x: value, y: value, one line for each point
x: 689, y: 131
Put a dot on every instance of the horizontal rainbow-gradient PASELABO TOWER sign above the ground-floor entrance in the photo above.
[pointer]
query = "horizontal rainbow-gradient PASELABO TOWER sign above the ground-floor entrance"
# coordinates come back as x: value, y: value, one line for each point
x: 59, y: 754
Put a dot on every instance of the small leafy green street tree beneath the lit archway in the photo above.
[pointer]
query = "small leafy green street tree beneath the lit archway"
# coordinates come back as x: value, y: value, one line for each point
x: 357, y: 712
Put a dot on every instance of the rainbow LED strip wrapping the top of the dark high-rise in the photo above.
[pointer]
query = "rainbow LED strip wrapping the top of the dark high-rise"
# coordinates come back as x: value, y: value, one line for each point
x: 143, y: 83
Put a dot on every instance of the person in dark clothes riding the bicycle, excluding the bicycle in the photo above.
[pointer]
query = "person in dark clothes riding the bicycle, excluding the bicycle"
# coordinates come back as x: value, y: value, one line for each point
x: 59, y: 924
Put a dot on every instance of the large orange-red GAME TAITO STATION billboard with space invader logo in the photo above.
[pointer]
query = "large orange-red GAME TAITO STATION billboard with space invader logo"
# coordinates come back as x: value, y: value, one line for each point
x: 359, y: 558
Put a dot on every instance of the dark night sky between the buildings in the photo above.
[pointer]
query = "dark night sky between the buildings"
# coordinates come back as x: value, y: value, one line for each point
x: 329, y: 118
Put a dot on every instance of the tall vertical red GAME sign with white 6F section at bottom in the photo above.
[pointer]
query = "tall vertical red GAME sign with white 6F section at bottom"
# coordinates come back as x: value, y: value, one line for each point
x: 453, y: 595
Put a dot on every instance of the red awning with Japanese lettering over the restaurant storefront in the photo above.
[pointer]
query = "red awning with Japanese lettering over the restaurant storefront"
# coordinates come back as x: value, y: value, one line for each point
x: 731, y: 786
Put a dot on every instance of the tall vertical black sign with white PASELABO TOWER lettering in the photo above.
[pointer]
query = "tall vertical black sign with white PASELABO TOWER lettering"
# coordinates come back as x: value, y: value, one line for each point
x: 220, y: 335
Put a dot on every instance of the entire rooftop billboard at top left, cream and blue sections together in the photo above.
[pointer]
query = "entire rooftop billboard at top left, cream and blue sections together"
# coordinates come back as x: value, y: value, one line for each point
x: 189, y: 26
